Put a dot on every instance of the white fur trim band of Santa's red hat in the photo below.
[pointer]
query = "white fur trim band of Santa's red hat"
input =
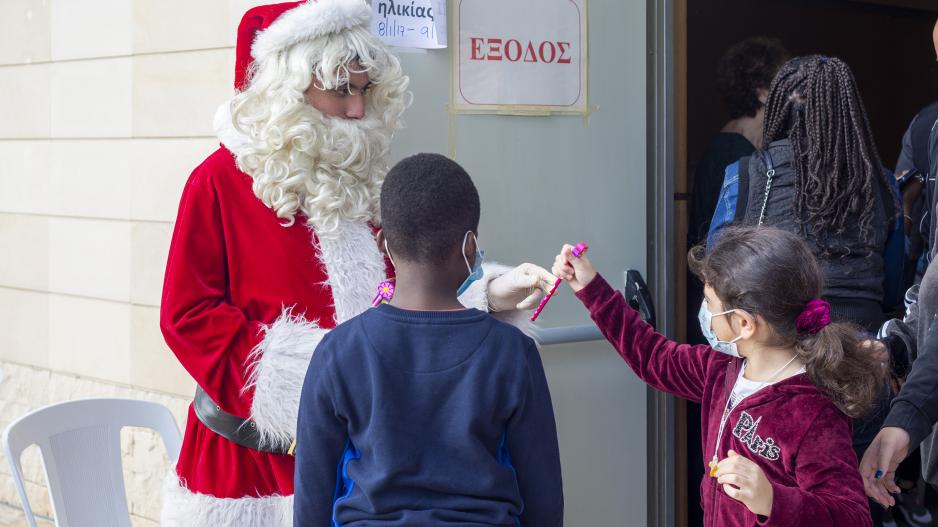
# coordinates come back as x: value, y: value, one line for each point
x: 308, y: 21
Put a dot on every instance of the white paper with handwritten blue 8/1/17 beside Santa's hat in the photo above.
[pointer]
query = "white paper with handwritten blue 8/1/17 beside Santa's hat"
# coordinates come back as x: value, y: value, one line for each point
x: 410, y: 23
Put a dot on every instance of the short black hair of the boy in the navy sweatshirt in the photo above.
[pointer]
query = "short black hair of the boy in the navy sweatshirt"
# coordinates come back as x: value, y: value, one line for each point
x: 428, y: 203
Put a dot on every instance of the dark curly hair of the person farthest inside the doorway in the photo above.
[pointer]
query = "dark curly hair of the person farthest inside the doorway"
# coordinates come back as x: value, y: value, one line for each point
x: 744, y: 69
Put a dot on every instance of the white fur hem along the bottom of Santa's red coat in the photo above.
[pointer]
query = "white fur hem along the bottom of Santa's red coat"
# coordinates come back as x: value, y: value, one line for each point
x: 184, y: 508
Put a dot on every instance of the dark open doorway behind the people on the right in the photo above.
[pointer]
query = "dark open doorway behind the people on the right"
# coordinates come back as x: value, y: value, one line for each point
x: 887, y: 45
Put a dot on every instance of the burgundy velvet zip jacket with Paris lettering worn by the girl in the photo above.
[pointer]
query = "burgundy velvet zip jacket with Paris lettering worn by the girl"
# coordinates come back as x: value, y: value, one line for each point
x: 790, y: 429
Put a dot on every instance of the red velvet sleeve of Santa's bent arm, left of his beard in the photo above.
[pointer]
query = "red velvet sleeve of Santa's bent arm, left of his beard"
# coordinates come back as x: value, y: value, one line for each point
x: 211, y: 338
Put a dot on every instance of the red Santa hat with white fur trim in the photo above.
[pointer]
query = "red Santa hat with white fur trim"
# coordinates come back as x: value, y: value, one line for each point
x: 267, y: 29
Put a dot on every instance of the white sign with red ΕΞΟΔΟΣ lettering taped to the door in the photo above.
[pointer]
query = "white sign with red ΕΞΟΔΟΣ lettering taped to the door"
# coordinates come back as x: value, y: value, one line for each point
x: 518, y: 55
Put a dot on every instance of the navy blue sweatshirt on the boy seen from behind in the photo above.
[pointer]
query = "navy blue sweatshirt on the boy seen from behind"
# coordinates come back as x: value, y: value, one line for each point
x: 426, y: 418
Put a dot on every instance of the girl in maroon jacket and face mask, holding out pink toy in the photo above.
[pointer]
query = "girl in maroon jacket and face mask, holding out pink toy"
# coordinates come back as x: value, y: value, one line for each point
x: 777, y: 385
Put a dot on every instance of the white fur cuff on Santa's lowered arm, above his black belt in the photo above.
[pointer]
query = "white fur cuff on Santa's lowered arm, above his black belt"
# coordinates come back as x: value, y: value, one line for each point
x: 276, y: 370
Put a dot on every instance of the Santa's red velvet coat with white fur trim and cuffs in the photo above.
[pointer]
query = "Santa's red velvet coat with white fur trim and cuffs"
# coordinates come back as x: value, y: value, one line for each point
x: 245, y: 302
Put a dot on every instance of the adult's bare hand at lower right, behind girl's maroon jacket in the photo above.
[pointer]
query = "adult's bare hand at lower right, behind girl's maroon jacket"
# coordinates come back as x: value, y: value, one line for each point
x: 878, y: 466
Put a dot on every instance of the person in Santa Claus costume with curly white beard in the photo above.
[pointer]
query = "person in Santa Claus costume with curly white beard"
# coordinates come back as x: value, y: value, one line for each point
x: 274, y: 245
